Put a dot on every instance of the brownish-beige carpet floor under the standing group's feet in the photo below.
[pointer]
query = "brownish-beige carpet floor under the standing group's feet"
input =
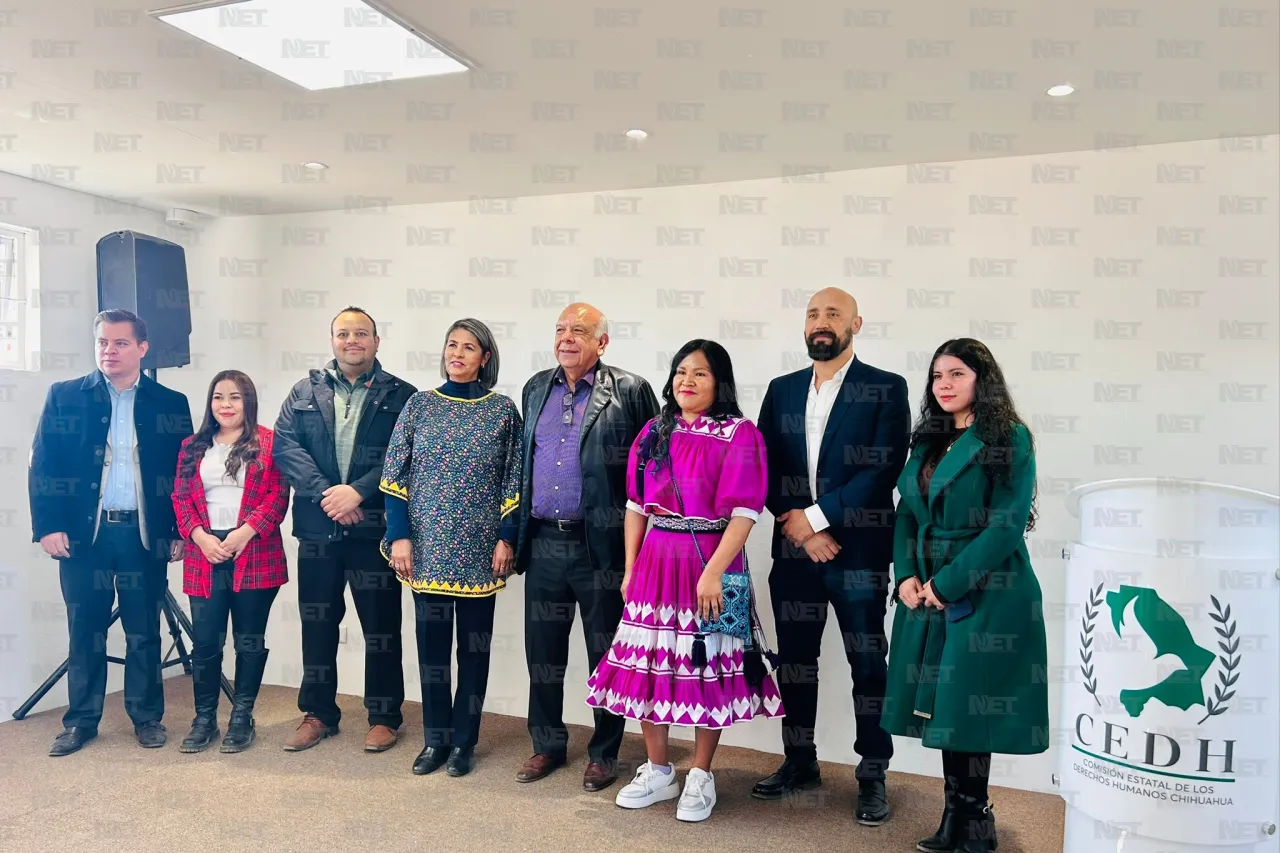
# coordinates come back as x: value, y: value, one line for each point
x: 116, y: 797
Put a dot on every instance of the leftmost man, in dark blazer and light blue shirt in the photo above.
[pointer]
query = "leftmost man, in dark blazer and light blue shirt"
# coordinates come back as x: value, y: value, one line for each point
x: 100, y: 485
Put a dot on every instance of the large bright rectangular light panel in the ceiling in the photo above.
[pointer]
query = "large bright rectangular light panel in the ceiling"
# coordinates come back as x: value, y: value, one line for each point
x: 317, y: 44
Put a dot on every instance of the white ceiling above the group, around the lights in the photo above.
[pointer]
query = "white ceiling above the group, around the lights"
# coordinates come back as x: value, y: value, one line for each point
x: 104, y: 98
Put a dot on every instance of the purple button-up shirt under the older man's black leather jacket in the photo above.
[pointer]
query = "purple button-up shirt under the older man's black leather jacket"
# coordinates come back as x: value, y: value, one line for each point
x: 557, y: 481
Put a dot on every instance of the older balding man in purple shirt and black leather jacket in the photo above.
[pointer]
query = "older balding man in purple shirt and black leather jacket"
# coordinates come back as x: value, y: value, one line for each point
x: 580, y: 421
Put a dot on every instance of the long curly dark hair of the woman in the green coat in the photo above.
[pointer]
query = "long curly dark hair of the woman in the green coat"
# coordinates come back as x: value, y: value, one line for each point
x: 994, y: 416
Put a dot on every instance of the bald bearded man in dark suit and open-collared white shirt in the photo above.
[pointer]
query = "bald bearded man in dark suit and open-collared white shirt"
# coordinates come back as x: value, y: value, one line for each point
x: 838, y: 437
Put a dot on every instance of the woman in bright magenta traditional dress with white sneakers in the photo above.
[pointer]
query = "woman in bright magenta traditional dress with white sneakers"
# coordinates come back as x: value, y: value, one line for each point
x: 703, y: 466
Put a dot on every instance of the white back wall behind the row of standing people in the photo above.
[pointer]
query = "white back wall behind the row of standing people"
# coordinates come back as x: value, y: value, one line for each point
x: 1026, y: 254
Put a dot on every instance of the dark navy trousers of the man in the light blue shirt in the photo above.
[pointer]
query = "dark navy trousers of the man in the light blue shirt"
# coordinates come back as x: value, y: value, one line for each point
x: 116, y: 565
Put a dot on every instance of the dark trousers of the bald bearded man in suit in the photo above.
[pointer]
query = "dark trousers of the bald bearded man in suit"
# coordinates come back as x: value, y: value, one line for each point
x: 802, y: 591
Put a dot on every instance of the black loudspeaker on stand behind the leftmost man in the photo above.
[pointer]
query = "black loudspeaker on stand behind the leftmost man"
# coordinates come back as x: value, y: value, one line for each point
x: 149, y: 277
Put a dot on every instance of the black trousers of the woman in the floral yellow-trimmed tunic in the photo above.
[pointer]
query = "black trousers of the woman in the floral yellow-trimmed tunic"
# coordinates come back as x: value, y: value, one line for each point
x: 452, y: 719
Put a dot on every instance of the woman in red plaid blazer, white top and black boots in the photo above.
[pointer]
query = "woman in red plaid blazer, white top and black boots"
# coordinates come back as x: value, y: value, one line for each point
x: 230, y: 500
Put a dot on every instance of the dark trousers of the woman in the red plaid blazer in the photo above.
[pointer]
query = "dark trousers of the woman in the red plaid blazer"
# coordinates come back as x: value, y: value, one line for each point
x: 249, y: 612
